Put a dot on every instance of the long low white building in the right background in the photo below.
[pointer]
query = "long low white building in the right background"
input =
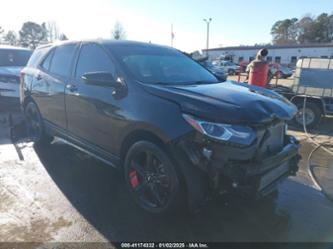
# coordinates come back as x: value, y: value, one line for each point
x: 284, y: 54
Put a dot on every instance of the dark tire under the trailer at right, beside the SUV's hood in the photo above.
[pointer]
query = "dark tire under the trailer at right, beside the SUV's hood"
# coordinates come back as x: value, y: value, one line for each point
x: 314, y: 114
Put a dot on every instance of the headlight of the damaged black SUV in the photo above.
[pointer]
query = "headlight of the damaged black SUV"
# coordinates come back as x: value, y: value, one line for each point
x: 237, y: 134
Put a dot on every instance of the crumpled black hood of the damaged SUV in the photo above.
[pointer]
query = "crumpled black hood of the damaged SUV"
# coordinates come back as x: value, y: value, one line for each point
x: 228, y: 102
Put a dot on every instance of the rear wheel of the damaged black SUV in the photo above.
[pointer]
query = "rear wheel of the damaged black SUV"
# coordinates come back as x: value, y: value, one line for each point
x: 35, y: 125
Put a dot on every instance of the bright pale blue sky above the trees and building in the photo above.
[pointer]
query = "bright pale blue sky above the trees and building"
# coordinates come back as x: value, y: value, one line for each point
x: 234, y: 22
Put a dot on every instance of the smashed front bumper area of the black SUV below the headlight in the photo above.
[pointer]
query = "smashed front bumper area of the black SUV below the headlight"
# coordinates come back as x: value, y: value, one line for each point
x: 249, y: 171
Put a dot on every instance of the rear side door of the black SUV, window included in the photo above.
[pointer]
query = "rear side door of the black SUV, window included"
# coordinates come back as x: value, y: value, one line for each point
x: 49, y: 87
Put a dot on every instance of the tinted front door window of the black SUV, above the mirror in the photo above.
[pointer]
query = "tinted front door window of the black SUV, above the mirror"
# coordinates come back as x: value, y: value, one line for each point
x: 93, y: 59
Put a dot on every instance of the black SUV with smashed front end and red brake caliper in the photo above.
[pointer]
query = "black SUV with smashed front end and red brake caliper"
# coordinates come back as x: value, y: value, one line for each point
x: 176, y: 132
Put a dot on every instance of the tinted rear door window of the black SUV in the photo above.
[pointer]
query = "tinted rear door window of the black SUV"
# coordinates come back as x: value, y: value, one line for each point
x: 62, y: 59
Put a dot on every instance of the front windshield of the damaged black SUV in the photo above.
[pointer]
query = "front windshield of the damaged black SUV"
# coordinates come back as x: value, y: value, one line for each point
x: 156, y: 65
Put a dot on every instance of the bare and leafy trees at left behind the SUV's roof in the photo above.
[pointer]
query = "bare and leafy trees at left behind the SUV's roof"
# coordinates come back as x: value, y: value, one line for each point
x: 32, y: 34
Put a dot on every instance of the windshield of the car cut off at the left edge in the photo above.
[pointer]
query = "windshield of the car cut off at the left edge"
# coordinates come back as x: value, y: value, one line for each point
x: 14, y: 58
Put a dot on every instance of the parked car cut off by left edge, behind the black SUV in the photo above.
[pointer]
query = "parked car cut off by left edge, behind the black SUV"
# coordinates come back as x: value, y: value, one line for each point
x: 12, y: 61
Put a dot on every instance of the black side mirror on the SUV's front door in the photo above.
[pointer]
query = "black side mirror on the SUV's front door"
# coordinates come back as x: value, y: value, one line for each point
x: 100, y: 79
